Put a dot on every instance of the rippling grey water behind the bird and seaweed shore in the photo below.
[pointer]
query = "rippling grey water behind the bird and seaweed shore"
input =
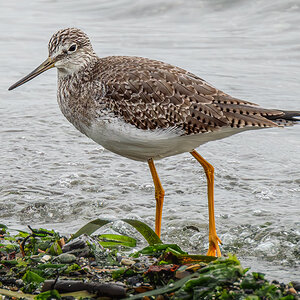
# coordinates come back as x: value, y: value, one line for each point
x: 52, y: 176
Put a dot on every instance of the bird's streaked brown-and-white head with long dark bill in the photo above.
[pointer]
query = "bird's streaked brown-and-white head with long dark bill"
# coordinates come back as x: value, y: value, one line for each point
x: 69, y: 50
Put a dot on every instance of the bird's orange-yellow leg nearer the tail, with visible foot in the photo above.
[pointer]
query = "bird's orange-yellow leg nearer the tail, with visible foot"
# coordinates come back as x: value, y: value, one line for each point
x: 214, y: 241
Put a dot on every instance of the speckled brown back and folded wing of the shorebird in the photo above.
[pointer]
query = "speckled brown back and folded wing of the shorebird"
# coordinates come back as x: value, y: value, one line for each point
x: 151, y: 94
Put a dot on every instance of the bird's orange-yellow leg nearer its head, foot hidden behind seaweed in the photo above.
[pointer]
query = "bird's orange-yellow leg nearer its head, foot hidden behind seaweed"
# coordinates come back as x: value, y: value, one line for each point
x: 159, y: 196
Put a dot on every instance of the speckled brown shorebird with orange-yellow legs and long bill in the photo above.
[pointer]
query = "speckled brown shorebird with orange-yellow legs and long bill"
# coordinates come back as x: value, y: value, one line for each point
x: 145, y: 109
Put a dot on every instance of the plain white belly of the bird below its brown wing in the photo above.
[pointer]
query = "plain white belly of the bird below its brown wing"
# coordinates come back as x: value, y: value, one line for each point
x: 138, y: 144
